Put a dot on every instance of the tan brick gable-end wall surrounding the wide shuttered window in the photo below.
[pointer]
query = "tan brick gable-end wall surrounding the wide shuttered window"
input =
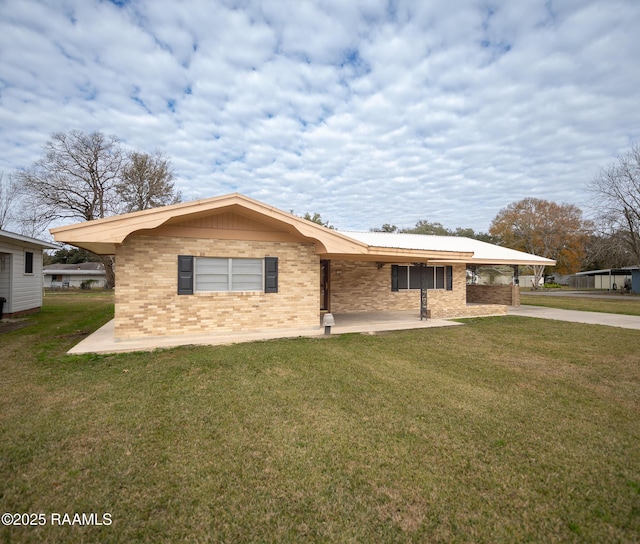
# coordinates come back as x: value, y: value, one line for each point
x: 147, y: 303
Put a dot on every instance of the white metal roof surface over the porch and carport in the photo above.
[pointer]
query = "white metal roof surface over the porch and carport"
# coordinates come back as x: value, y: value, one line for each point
x: 483, y: 252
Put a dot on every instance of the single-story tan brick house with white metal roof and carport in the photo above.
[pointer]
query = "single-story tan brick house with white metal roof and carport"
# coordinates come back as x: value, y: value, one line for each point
x: 231, y: 264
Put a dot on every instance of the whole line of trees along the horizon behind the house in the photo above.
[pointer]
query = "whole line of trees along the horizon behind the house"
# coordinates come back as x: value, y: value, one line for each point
x: 85, y: 176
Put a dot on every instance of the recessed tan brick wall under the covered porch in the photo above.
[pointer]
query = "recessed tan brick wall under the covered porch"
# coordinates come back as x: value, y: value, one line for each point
x: 366, y: 287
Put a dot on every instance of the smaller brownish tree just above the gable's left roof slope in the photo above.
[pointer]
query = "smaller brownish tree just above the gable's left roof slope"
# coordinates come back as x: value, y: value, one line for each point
x: 146, y: 182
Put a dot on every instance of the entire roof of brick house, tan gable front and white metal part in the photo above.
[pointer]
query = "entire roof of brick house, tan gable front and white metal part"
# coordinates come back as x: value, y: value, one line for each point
x: 102, y: 236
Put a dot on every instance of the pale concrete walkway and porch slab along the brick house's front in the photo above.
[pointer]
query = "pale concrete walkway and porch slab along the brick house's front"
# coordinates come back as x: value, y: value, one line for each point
x: 103, y: 340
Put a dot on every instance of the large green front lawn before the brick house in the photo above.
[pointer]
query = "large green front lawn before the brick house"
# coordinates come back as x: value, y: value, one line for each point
x: 502, y: 430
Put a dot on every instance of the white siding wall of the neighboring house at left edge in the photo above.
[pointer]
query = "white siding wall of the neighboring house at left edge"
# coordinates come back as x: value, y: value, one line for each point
x: 25, y: 290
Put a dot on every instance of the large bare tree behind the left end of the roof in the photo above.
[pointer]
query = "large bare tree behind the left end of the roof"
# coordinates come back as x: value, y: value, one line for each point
x: 75, y: 179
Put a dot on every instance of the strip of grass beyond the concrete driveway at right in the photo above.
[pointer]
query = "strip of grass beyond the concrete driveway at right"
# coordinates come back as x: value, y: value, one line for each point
x: 625, y: 304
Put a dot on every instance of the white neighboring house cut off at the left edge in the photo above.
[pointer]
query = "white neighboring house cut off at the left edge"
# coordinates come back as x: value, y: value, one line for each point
x: 21, y: 273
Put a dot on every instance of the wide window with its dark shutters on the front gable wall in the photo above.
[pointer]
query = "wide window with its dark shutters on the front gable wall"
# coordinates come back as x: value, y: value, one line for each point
x: 217, y: 274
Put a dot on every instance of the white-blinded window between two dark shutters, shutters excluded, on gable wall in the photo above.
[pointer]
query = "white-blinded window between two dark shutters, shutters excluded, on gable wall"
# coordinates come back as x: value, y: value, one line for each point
x: 221, y: 274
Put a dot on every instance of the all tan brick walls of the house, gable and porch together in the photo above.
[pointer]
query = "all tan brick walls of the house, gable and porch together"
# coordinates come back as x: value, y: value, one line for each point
x: 147, y: 303
